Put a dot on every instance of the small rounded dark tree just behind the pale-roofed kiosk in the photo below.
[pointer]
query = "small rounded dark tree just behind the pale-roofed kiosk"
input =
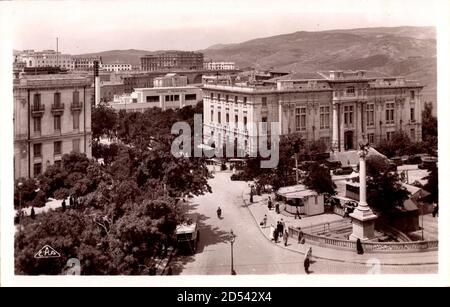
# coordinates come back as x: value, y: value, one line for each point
x: 319, y: 180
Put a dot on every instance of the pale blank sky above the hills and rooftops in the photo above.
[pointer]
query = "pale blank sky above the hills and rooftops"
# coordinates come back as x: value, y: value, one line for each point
x: 92, y: 26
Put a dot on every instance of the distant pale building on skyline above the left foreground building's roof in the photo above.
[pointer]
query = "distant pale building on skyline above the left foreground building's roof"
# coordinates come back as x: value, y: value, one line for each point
x: 46, y: 58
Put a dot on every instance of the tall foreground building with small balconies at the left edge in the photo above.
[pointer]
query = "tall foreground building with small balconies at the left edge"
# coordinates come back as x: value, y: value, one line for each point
x: 52, y: 117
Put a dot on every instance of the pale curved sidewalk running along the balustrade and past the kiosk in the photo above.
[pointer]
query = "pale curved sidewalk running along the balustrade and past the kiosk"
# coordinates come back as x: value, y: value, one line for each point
x: 259, y: 208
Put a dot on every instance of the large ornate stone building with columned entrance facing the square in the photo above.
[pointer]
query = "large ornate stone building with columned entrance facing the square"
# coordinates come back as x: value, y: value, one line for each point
x: 338, y: 107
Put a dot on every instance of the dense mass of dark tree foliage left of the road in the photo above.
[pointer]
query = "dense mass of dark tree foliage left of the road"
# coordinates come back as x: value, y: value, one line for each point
x: 128, y: 207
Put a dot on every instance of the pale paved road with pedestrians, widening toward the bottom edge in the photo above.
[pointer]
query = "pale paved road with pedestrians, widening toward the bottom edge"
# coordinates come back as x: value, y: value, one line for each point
x: 253, y: 253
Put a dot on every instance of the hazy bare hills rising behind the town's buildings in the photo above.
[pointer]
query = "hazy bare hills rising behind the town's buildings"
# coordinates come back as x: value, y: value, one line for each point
x: 405, y: 51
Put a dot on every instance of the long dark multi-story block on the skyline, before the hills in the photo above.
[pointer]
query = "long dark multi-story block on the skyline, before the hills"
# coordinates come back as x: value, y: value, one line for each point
x: 170, y: 60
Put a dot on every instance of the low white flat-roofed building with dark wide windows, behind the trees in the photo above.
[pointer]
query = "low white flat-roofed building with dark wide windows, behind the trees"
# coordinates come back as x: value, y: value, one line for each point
x: 161, y: 97
